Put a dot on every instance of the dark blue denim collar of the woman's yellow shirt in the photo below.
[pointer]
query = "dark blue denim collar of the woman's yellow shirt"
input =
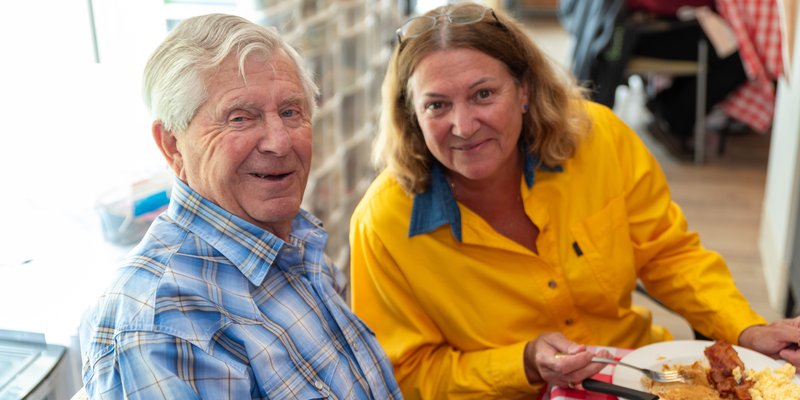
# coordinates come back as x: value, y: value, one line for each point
x: 437, y: 206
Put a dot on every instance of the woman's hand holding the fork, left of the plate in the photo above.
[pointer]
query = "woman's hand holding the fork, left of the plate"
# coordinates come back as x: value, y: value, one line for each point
x: 558, y: 361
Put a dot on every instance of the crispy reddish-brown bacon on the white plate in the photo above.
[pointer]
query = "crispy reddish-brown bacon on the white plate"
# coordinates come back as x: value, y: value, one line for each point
x: 723, y: 360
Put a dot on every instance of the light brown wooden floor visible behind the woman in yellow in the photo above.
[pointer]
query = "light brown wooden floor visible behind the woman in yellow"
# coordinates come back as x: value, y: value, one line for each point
x: 721, y: 198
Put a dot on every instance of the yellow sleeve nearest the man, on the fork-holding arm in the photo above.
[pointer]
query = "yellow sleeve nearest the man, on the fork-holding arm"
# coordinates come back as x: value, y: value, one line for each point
x: 426, y: 366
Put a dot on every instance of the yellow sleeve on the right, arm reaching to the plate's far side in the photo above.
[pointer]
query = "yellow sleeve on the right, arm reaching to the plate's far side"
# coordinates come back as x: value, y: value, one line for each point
x: 671, y: 261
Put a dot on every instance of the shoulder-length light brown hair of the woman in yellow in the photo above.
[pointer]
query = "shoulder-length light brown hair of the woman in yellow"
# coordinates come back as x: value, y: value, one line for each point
x: 551, y: 128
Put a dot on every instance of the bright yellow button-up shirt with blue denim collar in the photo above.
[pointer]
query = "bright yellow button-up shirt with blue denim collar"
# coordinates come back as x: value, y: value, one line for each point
x: 453, y: 302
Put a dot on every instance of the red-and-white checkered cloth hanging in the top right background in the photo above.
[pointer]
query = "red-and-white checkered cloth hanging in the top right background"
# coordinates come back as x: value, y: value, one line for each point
x: 756, y: 24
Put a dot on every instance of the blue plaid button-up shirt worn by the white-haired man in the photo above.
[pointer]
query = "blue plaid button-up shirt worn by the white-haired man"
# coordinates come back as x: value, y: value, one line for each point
x: 210, y: 306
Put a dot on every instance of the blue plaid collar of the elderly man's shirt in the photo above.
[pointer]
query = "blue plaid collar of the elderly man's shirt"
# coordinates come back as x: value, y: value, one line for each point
x: 251, y: 249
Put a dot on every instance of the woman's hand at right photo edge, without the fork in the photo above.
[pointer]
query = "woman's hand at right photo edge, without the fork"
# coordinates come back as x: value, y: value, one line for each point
x: 778, y: 340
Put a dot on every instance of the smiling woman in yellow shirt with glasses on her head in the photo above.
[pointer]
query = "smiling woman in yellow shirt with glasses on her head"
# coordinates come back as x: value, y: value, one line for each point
x: 512, y: 220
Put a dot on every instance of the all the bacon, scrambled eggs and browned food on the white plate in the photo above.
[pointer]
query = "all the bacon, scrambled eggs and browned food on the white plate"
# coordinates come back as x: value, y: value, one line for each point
x: 733, y: 381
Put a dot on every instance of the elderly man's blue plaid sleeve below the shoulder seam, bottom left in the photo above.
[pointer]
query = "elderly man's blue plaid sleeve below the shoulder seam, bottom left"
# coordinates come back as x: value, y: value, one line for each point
x: 145, y: 365
